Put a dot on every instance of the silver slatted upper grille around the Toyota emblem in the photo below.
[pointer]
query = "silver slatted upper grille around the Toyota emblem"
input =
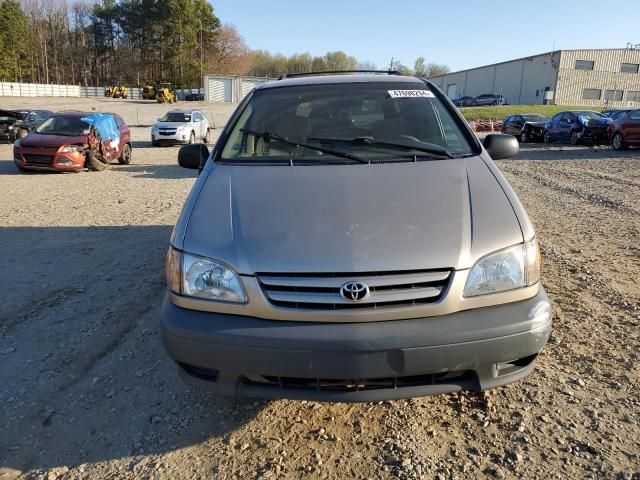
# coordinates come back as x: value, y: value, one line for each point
x: 322, y: 291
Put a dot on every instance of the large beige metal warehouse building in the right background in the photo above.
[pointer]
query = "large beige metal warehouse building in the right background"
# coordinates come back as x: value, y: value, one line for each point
x: 599, y: 77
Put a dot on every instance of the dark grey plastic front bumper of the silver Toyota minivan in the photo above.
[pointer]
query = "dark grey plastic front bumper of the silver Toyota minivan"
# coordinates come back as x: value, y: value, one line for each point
x: 354, y: 362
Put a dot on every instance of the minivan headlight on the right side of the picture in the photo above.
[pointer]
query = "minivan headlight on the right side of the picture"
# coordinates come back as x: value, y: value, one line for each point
x: 508, y: 269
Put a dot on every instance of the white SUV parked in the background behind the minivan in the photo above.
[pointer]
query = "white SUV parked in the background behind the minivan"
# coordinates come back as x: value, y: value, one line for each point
x: 181, y: 126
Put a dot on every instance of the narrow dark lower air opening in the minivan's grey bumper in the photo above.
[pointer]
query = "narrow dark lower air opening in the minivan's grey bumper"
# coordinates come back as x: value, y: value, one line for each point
x: 463, y: 378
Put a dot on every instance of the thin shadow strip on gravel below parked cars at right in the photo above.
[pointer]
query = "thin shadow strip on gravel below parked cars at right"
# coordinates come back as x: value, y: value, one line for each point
x: 533, y: 151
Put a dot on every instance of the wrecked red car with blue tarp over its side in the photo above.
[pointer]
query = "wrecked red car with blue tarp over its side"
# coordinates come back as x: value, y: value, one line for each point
x: 67, y: 143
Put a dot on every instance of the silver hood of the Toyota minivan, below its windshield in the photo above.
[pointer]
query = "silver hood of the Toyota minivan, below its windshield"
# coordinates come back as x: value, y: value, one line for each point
x: 351, y: 218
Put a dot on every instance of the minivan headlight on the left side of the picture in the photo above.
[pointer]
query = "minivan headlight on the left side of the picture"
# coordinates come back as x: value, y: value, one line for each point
x: 201, y: 277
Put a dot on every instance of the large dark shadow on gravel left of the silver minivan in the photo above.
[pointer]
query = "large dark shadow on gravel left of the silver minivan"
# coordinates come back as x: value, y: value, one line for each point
x: 84, y: 375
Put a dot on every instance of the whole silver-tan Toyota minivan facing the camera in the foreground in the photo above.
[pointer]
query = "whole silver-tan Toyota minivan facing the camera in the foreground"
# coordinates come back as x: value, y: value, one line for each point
x: 349, y: 239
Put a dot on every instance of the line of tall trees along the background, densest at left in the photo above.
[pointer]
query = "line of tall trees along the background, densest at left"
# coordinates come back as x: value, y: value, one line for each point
x: 95, y: 42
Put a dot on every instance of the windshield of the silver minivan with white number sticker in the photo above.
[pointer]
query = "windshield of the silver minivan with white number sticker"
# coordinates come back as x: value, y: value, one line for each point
x: 372, y: 121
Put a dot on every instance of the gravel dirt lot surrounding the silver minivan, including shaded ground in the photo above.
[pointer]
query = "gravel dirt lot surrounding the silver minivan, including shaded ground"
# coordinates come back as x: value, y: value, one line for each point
x: 86, y: 390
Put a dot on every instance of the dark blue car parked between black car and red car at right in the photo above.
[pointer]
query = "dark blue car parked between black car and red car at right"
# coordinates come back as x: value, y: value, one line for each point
x: 577, y: 126
